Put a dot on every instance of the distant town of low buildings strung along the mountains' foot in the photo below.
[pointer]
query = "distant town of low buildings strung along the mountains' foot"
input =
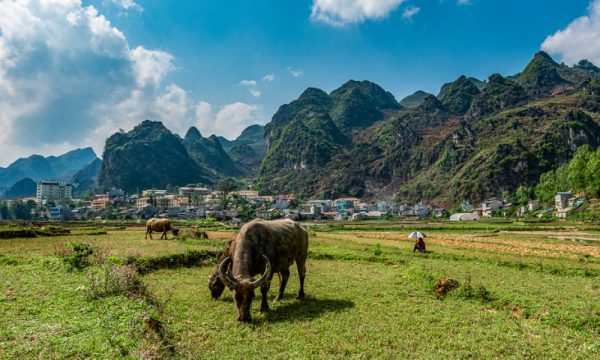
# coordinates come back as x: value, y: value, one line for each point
x: 54, y: 201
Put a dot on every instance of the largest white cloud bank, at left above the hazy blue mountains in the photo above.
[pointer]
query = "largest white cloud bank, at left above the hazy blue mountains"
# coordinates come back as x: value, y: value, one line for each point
x: 68, y: 78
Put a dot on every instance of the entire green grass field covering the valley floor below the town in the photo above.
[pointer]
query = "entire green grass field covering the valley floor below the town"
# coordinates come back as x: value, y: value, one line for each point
x: 524, y: 291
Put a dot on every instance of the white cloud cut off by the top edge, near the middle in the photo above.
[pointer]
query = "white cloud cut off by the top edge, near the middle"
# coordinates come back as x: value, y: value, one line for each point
x: 344, y: 12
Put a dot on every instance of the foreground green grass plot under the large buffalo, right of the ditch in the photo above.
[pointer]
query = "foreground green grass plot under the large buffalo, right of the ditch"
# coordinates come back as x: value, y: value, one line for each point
x: 361, y: 310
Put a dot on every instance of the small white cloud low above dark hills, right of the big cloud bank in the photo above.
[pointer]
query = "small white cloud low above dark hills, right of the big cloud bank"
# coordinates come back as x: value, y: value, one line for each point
x: 229, y: 121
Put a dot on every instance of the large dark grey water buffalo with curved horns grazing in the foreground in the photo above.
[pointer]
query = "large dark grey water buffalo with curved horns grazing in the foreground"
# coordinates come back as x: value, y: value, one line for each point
x: 263, y: 247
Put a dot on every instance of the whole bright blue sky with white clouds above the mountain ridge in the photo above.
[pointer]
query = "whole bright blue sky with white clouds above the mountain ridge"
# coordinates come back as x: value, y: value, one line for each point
x: 72, y: 72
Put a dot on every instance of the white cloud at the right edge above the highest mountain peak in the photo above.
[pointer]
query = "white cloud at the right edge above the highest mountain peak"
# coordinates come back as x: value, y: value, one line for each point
x: 579, y: 40
